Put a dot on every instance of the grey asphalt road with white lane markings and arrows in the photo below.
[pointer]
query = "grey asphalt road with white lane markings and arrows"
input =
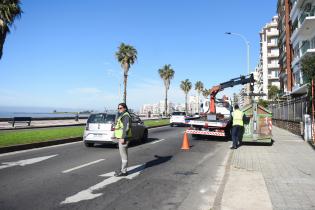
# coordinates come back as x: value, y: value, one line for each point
x: 72, y: 176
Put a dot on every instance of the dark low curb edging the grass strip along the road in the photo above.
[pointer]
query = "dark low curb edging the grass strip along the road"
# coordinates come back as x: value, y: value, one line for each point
x: 48, y: 143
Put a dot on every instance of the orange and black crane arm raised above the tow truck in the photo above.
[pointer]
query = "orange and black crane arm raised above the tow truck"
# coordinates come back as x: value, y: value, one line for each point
x: 242, y: 80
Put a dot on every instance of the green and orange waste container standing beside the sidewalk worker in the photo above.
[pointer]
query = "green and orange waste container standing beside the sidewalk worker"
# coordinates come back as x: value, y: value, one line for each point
x: 259, y: 126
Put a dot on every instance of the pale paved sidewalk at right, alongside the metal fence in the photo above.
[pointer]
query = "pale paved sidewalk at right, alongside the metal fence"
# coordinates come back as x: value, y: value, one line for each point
x: 281, y: 176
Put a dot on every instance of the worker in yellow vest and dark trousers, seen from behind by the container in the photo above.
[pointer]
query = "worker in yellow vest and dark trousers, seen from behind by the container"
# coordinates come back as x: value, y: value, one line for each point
x: 237, y: 126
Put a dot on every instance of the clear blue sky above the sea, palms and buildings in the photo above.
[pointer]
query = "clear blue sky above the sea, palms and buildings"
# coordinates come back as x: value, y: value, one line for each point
x: 61, y: 54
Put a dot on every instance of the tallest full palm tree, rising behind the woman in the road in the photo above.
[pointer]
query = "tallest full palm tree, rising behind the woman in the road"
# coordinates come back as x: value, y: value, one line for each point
x: 126, y: 56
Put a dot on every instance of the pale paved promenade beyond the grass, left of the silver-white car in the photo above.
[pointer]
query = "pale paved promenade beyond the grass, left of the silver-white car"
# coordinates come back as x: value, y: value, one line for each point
x: 41, y: 123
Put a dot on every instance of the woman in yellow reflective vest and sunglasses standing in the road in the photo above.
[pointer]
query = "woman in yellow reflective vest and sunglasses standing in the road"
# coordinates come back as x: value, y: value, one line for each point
x: 123, y: 135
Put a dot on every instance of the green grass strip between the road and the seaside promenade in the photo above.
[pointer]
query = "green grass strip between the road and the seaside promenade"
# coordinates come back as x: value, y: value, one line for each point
x: 17, y: 137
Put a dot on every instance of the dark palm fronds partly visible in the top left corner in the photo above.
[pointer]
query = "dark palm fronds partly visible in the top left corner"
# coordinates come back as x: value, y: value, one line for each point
x: 9, y: 10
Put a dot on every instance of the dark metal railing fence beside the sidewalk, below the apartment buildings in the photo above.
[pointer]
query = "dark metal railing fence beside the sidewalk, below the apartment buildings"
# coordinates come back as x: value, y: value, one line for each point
x: 290, y: 110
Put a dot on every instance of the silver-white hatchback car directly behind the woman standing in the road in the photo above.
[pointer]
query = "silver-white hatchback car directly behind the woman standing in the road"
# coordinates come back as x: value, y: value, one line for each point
x: 100, y: 129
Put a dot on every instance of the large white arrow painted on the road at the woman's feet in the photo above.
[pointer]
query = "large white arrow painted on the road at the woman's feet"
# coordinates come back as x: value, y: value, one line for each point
x: 88, y: 193
